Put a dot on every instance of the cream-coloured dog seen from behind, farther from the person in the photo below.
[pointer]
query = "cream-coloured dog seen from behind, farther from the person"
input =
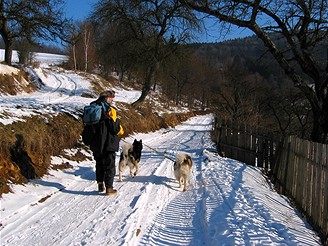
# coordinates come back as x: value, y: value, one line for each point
x: 182, y: 168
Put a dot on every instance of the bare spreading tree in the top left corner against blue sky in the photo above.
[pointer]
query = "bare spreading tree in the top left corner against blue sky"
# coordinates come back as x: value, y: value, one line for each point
x: 40, y: 19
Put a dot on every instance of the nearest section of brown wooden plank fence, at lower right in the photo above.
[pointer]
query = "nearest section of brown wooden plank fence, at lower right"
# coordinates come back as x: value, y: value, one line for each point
x: 301, y: 172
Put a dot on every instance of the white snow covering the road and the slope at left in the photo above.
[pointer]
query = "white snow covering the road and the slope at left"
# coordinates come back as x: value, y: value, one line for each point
x: 227, y: 202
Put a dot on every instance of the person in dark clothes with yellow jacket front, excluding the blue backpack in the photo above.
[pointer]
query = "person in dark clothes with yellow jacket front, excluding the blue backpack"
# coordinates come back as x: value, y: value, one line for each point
x: 106, y: 143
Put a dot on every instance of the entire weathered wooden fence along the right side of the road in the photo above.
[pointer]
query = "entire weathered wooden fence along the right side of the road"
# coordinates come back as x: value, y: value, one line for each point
x: 298, y: 168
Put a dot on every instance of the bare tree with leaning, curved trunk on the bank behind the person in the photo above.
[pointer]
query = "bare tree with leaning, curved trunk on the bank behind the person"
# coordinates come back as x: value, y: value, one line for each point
x: 153, y: 24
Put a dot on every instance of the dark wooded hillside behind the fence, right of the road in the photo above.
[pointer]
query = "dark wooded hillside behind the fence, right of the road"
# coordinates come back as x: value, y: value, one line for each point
x: 250, y: 87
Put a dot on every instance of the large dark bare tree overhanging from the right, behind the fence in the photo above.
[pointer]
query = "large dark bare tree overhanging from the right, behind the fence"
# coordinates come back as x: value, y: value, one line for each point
x: 301, y: 27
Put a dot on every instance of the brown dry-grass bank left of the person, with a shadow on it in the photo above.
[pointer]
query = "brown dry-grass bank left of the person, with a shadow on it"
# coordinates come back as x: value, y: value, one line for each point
x: 26, y: 147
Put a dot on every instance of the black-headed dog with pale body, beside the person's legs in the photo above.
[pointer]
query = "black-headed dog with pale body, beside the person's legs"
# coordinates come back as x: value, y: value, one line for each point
x: 130, y: 156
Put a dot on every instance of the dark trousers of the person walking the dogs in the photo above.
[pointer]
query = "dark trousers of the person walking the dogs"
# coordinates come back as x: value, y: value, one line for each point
x: 105, y: 169
